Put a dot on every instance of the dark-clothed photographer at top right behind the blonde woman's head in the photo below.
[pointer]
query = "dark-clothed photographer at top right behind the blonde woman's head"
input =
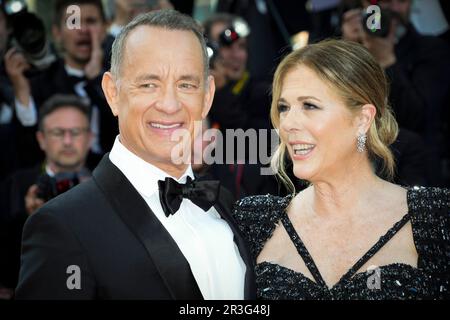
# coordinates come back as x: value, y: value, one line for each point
x: 418, y: 69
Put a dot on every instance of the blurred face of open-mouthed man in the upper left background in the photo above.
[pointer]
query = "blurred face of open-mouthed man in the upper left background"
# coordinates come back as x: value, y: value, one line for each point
x: 77, y: 43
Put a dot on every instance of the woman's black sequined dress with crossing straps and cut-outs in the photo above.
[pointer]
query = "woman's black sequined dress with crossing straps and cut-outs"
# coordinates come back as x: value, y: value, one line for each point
x: 429, y: 213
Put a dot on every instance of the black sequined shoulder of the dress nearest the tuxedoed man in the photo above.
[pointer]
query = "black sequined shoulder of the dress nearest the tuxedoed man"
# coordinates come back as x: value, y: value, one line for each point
x: 257, y: 217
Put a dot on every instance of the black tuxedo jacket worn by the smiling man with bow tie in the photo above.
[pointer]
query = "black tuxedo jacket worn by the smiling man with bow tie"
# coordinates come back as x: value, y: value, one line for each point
x: 106, y: 229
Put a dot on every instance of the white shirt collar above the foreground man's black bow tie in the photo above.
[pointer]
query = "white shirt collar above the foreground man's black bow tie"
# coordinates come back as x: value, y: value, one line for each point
x: 142, y: 175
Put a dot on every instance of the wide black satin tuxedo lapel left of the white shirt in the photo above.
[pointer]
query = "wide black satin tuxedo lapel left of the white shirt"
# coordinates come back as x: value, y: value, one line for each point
x: 134, y: 211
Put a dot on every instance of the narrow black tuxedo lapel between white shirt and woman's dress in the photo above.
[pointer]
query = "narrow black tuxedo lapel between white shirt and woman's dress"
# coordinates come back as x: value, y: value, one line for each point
x: 223, y: 209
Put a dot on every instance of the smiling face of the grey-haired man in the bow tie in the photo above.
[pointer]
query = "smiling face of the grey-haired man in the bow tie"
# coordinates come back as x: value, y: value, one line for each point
x: 161, y: 89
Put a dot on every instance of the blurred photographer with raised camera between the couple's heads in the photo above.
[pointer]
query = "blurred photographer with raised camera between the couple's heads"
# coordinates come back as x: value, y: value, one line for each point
x: 240, y: 100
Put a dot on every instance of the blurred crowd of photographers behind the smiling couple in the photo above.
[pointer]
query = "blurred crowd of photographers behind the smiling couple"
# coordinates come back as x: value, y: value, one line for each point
x: 55, y: 124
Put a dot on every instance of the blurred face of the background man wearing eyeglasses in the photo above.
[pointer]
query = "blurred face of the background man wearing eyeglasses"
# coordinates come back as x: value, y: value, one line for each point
x: 65, y: 138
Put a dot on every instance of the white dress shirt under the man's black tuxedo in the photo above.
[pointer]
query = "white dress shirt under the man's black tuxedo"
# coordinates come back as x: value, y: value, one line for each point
x: 205, y: 239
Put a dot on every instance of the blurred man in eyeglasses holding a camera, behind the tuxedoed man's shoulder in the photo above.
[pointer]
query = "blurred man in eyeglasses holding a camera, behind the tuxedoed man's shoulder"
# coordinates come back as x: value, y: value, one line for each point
x: 65, y: 136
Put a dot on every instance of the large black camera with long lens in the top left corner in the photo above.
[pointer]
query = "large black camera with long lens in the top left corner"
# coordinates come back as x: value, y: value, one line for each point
x: 28, y: 34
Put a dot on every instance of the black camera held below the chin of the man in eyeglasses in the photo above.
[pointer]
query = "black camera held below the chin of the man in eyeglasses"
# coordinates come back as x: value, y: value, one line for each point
x: 50, y: 187
